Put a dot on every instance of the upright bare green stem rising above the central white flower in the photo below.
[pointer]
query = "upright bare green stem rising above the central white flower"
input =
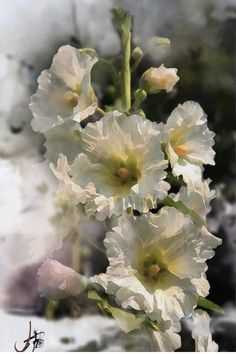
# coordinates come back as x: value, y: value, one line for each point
x: 126, y: 73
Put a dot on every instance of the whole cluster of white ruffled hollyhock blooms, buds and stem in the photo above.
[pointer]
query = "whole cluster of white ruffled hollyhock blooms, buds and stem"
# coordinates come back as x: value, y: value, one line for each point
x: 116, y: 164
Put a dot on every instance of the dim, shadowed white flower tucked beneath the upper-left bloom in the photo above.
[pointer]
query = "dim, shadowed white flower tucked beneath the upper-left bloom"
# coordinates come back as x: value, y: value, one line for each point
x: 62, y: 139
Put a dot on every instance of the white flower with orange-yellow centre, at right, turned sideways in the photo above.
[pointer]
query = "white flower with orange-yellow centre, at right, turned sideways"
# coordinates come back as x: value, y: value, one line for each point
x: 188, y: 141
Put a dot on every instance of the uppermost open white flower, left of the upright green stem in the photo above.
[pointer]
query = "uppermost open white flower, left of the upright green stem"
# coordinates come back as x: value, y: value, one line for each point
x: 64, y: 90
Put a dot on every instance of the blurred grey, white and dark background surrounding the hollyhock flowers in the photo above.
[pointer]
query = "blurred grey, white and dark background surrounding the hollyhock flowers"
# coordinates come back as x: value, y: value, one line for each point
x: 202, y: 34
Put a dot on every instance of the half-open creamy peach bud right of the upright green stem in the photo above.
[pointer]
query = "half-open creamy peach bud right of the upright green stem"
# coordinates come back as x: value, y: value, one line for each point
x: 156, y: 79
